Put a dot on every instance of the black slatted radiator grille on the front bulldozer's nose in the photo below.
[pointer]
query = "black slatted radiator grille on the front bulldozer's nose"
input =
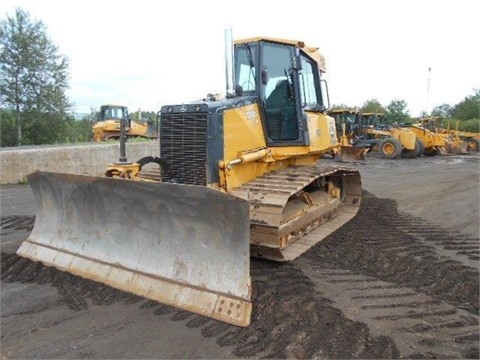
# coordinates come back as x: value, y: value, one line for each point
x: 183, y: 145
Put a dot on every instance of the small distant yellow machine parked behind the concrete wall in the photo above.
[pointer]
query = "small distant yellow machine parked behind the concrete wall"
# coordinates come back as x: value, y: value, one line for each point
x: 108, y: 125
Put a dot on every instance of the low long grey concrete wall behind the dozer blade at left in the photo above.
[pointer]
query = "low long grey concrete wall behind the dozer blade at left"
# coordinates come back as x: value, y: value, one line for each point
x: 91, y: 159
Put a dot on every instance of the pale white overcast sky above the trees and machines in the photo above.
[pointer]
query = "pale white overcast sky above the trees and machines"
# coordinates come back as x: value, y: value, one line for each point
x: 148, y: 53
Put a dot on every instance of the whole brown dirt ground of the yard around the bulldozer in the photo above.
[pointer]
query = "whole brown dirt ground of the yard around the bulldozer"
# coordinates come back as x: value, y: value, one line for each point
x: 401, y: 280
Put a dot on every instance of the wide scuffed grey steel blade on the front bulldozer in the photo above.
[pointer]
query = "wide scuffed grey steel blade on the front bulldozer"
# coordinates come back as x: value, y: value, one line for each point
x: 182, y: 245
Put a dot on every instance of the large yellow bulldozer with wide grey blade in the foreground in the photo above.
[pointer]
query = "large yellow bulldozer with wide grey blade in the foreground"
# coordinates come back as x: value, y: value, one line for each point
x: 237, y: 177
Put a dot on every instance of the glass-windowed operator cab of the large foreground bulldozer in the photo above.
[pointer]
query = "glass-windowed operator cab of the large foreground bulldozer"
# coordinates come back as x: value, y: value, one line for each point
x: 287, y: 82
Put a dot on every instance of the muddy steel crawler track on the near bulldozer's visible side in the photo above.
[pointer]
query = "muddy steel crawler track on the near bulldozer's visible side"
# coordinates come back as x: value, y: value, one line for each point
x: 274, y: 216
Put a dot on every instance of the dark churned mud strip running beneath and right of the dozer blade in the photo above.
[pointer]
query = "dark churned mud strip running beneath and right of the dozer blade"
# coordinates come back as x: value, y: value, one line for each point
x: 290, y: 318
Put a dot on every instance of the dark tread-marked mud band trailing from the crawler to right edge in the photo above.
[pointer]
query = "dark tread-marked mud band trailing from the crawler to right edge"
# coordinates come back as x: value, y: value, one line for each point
x: 374, y: 244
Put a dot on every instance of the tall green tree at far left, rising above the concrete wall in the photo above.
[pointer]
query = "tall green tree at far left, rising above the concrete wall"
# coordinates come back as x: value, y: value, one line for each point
x: 33, y: 80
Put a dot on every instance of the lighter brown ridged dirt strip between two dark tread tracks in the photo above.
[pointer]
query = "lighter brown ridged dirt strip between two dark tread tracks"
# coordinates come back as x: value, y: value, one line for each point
x: 420, y: 326
